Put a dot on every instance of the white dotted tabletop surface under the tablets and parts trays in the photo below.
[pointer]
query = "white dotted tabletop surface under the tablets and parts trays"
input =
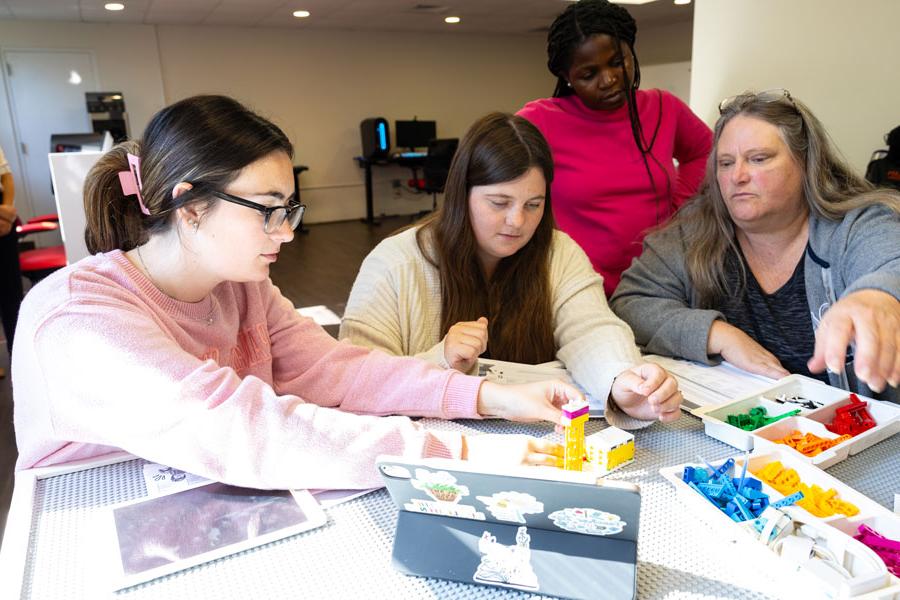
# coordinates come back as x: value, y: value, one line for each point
x: 351, y: 555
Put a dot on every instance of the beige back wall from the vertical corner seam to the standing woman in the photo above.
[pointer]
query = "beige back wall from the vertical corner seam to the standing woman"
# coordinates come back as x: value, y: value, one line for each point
x: 318, y: 86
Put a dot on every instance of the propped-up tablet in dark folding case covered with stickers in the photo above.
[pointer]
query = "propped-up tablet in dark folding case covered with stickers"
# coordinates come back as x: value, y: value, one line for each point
x: 535, y: 529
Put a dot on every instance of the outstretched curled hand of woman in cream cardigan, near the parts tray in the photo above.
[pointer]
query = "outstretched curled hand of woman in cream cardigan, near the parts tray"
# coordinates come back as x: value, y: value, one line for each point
x: 647, y: 392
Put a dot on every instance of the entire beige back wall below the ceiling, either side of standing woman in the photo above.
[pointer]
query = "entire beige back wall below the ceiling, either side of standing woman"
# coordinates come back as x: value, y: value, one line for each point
x: 318, y: 86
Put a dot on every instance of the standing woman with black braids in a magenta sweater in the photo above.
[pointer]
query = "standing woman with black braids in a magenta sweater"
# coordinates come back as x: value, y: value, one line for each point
x: 614, y: 146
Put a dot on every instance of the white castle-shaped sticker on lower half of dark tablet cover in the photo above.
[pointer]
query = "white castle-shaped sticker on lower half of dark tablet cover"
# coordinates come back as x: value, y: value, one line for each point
x: 507, y: 566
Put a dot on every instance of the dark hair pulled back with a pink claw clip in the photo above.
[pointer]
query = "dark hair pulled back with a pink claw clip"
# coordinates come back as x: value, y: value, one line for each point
x: 205, y: 140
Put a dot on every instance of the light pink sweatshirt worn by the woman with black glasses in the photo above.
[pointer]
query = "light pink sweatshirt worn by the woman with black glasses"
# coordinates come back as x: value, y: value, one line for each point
x: 260, y: 398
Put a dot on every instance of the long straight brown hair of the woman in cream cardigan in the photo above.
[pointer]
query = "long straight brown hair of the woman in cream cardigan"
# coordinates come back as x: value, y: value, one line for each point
x: 517, y: 300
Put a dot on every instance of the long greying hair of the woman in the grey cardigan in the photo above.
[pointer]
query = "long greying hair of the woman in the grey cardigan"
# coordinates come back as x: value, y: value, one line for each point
x: 830, y: 187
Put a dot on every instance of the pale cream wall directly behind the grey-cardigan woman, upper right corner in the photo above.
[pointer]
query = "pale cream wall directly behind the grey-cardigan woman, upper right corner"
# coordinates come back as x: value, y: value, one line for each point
x: 838, y: 57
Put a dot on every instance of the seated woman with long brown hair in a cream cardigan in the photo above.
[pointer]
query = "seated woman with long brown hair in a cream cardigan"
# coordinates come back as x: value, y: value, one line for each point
x: 489, y: 275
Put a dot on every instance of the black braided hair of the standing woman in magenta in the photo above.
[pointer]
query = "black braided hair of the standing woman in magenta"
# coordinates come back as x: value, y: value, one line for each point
x: 572, y: 28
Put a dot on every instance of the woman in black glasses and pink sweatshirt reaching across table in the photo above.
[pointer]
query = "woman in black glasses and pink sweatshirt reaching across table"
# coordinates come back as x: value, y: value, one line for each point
x: 171, y: 342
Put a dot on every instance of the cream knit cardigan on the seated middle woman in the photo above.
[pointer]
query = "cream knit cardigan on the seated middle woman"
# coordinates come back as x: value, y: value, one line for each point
x: 395, y: 305
